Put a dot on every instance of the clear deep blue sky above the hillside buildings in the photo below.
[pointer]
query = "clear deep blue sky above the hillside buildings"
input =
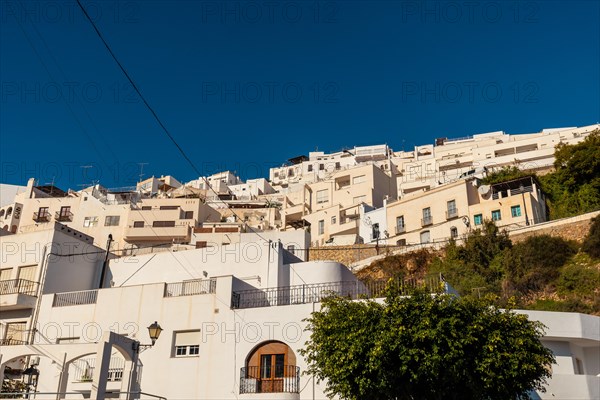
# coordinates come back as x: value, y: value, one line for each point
x: 244, y: 86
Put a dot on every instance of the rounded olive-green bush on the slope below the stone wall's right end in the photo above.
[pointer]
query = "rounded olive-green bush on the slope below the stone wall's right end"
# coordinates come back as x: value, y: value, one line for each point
x: 535, y: 262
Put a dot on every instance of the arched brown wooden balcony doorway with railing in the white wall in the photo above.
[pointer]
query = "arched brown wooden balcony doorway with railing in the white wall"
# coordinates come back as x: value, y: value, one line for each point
x: 270, y: 368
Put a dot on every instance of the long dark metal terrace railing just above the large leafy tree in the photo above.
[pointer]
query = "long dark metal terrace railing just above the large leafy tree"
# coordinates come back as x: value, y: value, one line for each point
x: 311, y: 293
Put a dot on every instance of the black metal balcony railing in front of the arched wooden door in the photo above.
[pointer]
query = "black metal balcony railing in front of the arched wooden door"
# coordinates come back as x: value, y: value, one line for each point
x: 281, y: 379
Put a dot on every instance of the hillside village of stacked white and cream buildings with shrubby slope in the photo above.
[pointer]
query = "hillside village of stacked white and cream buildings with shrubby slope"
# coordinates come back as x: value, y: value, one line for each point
x: 230, y: 268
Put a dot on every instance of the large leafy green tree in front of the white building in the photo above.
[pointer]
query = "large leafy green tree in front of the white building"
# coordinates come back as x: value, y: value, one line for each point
x: 425, y: 347
